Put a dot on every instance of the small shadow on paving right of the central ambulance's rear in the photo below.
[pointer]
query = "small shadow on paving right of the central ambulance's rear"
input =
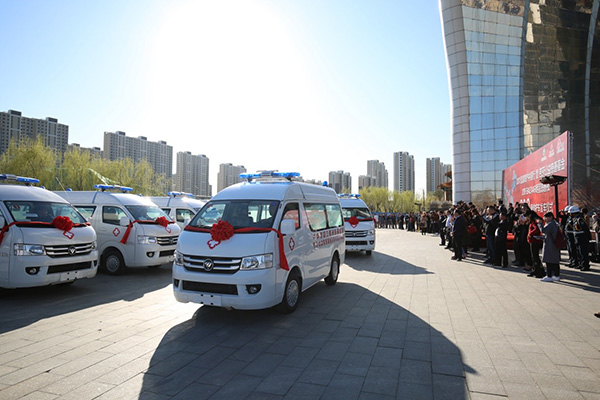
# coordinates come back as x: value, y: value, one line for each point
x: 382, y: 263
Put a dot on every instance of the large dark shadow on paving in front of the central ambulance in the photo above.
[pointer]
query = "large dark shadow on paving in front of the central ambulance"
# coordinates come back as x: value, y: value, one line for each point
x: 342, y: 342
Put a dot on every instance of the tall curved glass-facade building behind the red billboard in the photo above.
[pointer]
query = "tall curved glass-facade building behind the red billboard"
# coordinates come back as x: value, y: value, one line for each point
x: 521, y: 72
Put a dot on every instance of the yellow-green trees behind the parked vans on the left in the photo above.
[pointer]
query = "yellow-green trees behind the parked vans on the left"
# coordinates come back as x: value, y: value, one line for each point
x: 79, y: 170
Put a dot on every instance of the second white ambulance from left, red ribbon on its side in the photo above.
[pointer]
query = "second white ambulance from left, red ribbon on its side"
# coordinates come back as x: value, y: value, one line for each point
x: 132, y: 230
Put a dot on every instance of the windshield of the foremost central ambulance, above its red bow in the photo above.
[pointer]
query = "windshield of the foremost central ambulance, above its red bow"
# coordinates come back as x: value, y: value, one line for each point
x: 239, y: 213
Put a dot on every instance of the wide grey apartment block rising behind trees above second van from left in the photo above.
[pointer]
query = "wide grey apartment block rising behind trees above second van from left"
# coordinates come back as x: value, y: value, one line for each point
x: 118, y: 146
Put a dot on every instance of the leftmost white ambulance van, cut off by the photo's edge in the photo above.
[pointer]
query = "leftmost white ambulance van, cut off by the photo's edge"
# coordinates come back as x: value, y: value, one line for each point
x: 43, y: 239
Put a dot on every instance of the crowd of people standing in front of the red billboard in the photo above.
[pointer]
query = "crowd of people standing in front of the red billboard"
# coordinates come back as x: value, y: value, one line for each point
x: 498, y: 227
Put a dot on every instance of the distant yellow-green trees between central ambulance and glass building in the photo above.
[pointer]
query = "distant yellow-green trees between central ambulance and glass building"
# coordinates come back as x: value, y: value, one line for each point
x: 383, y: 200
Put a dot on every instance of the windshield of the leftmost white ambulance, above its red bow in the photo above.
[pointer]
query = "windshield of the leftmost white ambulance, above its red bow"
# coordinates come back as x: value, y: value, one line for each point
x: 42, y: 211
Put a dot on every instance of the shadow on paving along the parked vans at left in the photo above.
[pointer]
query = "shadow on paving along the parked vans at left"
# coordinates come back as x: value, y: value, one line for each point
x: 22, y: 307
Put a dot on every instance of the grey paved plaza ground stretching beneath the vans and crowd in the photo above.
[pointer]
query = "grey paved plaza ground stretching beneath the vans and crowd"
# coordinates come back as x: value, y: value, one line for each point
x: 404, y: 323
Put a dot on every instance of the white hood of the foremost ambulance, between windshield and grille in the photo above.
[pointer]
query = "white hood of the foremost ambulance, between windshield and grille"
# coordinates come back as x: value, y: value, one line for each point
x: 239, y: 245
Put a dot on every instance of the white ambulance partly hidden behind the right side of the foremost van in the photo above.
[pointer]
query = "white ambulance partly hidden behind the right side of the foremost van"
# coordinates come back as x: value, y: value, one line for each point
x: 359, y: 224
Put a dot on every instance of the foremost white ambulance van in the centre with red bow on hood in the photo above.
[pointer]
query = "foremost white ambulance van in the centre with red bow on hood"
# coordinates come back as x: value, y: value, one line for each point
x: 260, y: 243
